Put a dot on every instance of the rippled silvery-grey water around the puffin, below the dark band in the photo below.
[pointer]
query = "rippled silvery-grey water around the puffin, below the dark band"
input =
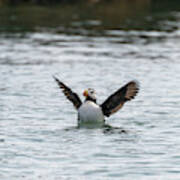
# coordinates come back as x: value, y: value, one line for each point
x: 39, y: 138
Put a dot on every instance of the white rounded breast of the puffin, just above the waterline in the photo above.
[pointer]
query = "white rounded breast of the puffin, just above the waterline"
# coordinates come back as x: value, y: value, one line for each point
x: 89, y: 112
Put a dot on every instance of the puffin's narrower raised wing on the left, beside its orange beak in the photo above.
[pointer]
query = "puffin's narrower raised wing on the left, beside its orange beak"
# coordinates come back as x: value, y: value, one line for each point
x: 73, y: 97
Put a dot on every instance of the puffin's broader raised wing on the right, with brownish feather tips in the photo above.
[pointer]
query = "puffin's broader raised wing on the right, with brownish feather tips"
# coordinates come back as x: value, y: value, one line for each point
x: 114, y: 102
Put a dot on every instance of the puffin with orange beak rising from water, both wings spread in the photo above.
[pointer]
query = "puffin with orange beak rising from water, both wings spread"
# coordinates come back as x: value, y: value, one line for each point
x: 89, y: 112
